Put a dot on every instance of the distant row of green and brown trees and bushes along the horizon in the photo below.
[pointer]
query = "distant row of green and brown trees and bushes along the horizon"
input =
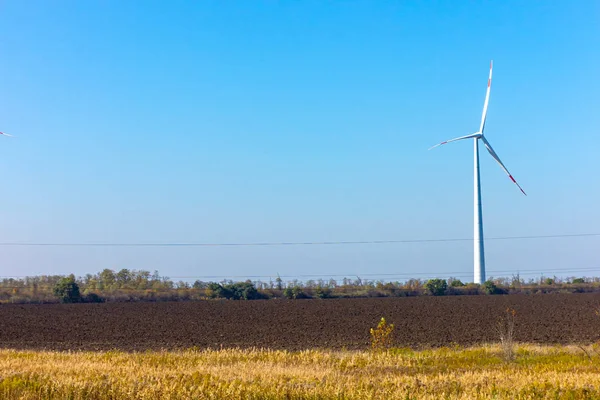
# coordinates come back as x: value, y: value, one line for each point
x: 131, y: 285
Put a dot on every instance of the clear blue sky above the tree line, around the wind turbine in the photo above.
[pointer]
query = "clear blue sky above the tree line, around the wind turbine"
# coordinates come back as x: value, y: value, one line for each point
x: 271, y: 121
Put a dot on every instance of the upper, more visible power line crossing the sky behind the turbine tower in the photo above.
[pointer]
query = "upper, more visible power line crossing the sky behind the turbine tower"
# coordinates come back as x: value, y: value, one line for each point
x: 315, y: 243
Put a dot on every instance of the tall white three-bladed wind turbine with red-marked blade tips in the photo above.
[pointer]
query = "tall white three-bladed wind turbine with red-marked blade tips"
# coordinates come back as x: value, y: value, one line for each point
x: 479, y: 258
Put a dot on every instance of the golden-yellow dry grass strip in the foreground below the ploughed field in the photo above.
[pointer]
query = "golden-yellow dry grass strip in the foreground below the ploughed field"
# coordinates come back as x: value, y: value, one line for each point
x: 538, y: 372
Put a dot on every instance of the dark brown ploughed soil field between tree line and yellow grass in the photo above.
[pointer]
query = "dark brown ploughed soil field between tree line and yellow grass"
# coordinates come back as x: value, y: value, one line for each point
x: 297, y: 324
